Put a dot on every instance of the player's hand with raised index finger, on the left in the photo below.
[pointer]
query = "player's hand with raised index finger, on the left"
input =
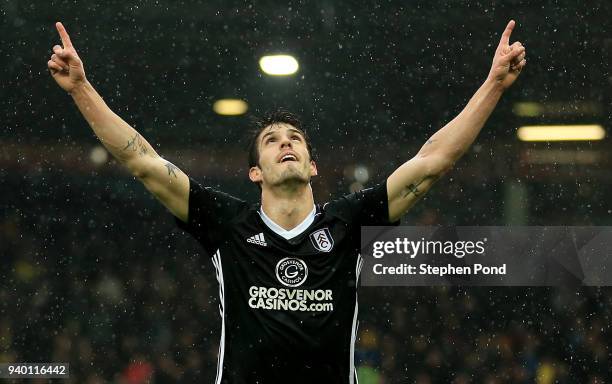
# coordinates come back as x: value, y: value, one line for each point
x: 65, y: 65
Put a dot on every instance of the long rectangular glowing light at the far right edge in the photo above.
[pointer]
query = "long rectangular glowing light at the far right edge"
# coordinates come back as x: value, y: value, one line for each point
x: 561, y: 132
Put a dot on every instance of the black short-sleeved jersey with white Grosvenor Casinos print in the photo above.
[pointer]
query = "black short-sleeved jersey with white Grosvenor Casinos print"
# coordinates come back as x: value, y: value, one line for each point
x: 288, y: 307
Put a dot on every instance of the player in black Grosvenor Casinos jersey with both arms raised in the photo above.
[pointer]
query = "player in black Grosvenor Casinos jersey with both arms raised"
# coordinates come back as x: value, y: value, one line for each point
x: 287, y: 268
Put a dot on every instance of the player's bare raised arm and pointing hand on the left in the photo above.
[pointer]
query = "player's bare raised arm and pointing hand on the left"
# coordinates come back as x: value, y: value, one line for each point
x: 164, y: 180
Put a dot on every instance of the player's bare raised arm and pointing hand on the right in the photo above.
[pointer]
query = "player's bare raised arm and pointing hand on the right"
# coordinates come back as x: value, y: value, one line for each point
x: 415, y: 177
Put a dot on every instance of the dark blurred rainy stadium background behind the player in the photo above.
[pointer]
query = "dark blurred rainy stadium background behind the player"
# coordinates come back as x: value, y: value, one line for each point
x: 93, y: 272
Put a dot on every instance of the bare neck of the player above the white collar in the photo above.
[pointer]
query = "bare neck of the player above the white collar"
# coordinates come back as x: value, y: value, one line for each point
x: 287, y: 207
